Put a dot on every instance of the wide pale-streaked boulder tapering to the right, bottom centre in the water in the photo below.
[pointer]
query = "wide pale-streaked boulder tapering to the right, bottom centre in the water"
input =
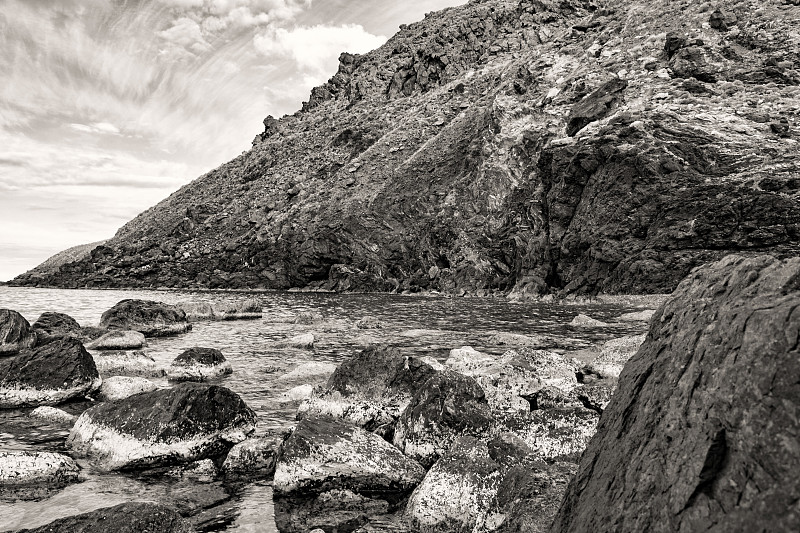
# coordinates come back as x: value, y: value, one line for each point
x: 325, y: 454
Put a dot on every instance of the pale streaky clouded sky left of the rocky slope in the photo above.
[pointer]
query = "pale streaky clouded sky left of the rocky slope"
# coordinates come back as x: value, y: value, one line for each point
x: 108, y: 106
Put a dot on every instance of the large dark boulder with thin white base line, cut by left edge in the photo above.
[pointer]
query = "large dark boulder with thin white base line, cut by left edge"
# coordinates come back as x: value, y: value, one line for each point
x: 48, y: 375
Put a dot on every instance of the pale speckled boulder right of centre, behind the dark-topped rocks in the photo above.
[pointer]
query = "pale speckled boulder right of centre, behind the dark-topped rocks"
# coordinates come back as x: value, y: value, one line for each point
x: 517, y: 374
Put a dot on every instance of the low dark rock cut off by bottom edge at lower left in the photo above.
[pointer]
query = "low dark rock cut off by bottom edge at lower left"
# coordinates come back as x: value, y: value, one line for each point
x: 134, y: 517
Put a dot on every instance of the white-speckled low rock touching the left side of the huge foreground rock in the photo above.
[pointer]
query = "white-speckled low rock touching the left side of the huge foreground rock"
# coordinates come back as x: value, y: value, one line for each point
x: 552, y: 434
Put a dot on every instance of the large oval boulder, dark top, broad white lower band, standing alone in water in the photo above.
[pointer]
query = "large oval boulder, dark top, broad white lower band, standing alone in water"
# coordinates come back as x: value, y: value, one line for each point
x: 164, y: 427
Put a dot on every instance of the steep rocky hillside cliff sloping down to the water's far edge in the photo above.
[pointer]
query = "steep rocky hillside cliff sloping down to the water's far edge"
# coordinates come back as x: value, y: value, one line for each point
x: 525, y: 146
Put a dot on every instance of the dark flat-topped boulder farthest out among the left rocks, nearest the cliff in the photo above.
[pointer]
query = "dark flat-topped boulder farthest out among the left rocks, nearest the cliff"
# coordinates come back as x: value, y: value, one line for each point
x: 153, y: 319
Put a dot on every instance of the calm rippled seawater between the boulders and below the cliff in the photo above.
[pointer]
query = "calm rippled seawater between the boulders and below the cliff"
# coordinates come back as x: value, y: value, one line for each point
x: 261, y: 376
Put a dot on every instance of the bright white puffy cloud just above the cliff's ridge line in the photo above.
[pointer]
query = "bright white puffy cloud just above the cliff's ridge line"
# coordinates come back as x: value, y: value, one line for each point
x: 316, y: 49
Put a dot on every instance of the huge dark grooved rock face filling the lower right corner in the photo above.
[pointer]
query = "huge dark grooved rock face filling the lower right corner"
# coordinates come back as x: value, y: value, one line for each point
x: 702, y: 434
